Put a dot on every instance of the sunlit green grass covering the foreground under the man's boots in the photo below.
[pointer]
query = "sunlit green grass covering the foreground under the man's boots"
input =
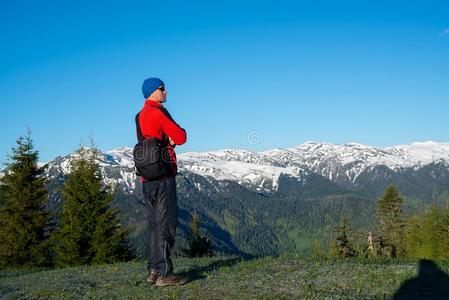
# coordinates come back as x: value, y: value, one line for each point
x: 217, y: 278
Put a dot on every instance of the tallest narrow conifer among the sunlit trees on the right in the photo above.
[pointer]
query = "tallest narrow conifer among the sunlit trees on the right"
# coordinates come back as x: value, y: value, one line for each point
x: 391, y: 221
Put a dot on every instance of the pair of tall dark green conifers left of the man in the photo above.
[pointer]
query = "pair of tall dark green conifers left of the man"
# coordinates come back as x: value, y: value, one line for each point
x: 85, y: 230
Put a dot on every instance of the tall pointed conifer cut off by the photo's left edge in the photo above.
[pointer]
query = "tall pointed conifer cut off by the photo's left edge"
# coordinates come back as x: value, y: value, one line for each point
x: 24, y: 220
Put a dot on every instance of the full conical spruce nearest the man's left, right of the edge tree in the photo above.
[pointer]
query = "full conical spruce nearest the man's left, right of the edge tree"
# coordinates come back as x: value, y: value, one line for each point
x: 89, y: 230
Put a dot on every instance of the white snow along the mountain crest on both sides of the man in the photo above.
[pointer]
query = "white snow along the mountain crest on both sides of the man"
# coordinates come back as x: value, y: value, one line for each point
x: 342, y: 164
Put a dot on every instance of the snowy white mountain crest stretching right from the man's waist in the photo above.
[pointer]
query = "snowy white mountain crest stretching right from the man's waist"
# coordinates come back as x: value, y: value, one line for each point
x: 335, y: 162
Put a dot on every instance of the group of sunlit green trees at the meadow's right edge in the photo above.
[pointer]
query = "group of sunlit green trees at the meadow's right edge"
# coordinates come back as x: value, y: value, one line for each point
x: 415, y: 236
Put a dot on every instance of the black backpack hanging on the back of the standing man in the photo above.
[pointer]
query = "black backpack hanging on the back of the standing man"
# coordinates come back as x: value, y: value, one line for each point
x: 152, y: 159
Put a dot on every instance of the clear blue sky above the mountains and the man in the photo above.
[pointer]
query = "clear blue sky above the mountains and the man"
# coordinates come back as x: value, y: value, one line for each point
x: 240, y: 74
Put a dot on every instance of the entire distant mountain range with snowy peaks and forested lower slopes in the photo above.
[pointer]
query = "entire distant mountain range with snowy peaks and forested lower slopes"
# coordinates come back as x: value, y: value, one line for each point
x: 248, y: 199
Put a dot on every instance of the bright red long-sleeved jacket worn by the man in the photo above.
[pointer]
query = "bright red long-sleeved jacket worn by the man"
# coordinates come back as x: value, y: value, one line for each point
x: 153, y: 122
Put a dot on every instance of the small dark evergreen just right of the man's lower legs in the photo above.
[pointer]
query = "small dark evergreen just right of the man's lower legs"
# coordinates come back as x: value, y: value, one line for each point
x: 198, y: 246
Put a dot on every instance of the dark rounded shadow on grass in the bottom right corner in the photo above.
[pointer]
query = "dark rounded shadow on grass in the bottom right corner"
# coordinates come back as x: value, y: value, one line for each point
x: 430, y: 283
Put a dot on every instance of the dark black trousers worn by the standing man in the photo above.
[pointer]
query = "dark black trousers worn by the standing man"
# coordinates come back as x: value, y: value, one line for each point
x: 160, y: 200
